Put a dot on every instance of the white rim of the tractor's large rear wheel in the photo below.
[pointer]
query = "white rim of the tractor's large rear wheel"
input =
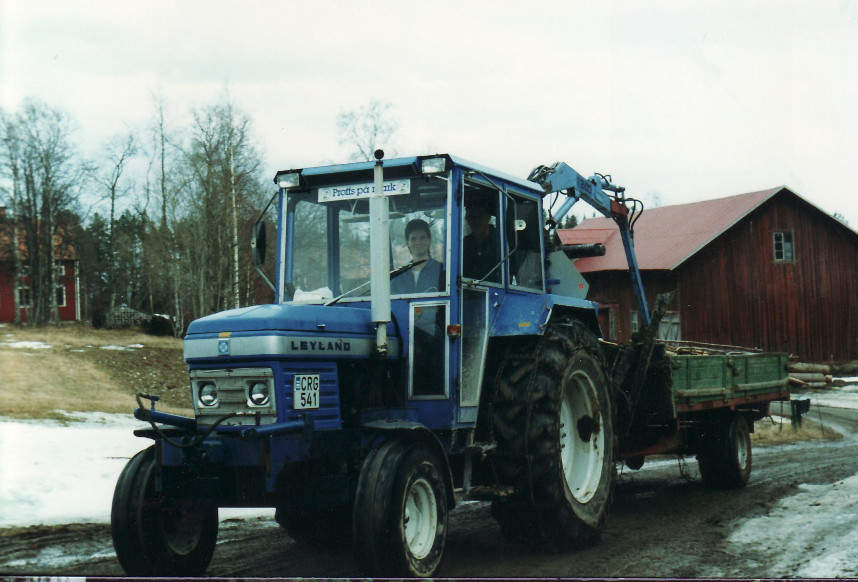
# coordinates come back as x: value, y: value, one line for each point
x: 581, y: 437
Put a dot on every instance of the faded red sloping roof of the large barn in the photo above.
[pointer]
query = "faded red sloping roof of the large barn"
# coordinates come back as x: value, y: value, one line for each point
x: 667, y: 236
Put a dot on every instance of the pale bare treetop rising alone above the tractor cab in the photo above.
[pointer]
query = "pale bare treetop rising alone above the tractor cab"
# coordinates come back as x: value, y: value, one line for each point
x: 368, y: 128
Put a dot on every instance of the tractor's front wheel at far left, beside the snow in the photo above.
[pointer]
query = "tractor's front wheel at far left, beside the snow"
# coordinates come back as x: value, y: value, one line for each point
x: 154, y: 535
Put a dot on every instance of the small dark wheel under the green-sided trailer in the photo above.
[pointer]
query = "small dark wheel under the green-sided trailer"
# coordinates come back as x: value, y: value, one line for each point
x: 725, y: 458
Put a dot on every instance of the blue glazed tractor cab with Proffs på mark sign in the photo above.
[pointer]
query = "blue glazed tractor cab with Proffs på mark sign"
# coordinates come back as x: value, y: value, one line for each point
x: 466, y: 262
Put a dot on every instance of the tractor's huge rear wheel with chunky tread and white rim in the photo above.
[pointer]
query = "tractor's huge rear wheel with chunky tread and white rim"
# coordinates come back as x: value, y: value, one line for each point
x: 553, y: 422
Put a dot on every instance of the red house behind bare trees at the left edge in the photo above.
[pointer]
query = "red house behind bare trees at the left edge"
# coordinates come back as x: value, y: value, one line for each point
x: 67, y: 280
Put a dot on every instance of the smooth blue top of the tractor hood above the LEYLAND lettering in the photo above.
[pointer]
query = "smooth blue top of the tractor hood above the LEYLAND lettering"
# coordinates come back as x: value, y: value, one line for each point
x: 332, y: 320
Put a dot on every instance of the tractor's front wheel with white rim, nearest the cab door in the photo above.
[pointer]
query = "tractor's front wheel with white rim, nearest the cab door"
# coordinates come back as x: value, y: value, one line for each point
x: 400, y: 514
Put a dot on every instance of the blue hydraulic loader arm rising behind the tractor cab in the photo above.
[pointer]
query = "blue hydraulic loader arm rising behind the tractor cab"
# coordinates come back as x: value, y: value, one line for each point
x: 561, y: 178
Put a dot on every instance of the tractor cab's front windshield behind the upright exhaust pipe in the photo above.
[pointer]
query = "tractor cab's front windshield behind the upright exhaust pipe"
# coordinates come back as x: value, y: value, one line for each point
x: 330, y: 240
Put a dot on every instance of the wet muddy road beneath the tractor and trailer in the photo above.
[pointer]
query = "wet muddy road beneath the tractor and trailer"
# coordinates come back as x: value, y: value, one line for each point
x: 664, y: 524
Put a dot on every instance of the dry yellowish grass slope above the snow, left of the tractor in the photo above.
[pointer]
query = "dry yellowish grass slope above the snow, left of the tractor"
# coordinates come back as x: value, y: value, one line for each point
x: 75, y: 374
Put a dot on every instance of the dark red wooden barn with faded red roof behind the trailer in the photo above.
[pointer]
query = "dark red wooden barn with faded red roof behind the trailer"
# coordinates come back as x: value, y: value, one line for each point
x: 766, y: 270
